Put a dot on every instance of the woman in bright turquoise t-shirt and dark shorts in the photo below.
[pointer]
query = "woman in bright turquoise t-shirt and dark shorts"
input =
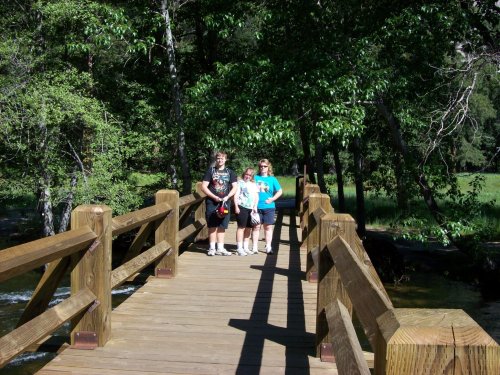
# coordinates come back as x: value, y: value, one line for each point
x: 269, y: 190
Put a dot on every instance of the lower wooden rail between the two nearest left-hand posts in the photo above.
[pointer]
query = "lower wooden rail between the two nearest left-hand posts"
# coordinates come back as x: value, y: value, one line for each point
x: 122, y: 273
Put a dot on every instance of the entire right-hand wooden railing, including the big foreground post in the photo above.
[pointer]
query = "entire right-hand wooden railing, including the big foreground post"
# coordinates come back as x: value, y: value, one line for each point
x: 404, y: 341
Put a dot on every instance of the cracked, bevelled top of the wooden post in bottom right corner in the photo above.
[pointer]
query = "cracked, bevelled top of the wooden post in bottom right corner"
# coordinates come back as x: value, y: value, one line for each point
x: 437, y: 341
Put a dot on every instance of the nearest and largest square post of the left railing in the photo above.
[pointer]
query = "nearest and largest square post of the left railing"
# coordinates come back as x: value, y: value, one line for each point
x: 92, y: 270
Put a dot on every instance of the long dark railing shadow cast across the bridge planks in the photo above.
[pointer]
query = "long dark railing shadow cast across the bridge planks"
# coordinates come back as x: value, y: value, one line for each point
x: 298, y: 344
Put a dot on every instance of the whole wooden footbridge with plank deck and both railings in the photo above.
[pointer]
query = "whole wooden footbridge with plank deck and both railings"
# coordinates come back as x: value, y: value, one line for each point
x: 289, y: 312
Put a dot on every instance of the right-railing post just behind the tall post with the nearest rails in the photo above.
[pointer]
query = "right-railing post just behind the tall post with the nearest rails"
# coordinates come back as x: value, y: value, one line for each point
x: 316, y: 200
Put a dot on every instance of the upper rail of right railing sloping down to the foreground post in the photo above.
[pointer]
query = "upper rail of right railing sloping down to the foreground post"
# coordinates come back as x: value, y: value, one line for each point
x: 368, y: 300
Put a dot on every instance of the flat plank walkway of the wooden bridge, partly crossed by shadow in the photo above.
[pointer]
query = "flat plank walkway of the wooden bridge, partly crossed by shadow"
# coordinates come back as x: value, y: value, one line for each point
x: 219, y: 315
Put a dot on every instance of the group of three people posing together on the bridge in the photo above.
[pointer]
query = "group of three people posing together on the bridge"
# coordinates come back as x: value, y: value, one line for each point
x: 252, y: 194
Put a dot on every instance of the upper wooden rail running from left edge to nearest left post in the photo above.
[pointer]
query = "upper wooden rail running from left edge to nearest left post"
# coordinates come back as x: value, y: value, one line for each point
x: 26, y: 257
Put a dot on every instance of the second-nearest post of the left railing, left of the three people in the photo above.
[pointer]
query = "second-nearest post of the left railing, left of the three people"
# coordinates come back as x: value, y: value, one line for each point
x: 168, y: 230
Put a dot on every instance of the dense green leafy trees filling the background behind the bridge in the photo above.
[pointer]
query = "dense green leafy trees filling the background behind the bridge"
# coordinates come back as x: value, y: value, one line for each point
x: 109, y: 101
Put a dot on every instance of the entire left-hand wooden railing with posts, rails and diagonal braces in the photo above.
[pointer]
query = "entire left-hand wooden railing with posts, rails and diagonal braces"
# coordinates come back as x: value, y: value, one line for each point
x: 86, y: 251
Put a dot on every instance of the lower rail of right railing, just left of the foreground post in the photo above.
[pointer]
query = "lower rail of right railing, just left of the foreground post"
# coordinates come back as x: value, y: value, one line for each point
x: 346, y: 347
